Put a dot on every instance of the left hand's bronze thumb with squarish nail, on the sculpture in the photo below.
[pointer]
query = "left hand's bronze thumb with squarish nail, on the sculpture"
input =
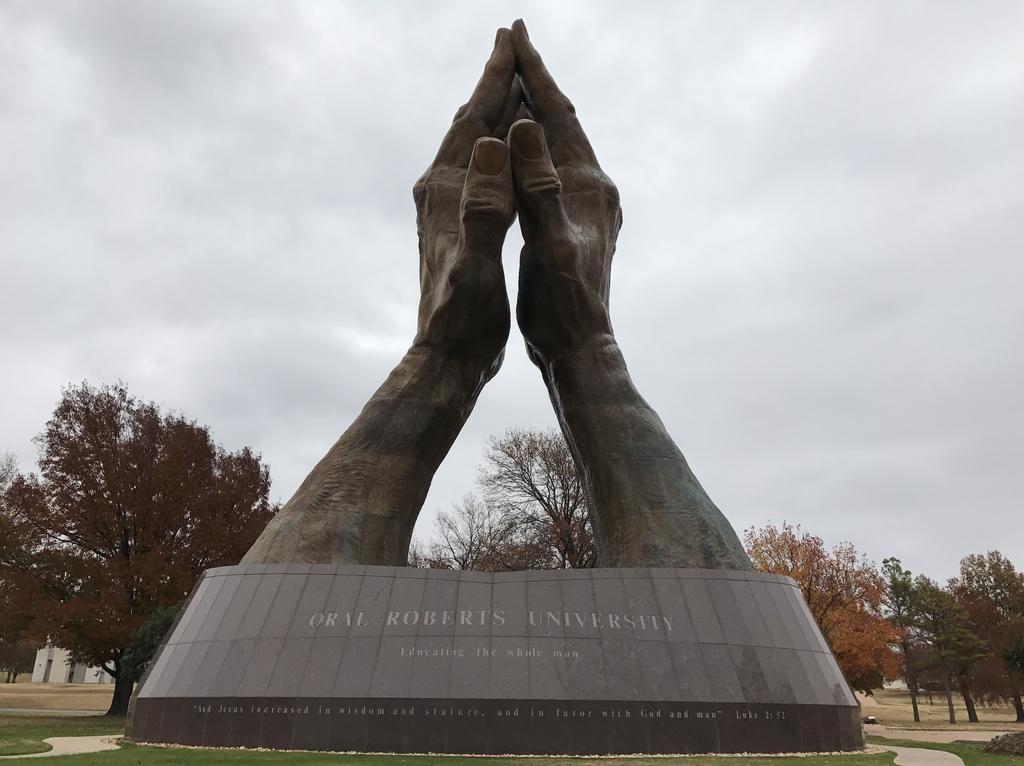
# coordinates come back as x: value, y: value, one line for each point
x: 488, y: 200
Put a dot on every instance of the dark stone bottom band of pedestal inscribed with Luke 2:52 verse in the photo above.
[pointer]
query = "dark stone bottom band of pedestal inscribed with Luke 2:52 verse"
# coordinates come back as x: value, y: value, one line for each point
x: 497, y: 728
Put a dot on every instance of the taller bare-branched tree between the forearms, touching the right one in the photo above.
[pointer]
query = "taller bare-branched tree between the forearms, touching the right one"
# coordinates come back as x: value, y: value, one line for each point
x: 531, y: 479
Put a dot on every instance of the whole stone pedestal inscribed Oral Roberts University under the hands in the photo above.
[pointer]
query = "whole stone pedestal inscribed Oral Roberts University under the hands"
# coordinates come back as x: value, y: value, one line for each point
x: 381, y: 659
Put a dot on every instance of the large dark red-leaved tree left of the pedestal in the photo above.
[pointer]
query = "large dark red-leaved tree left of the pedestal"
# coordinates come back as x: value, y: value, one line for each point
x: 131, y: 506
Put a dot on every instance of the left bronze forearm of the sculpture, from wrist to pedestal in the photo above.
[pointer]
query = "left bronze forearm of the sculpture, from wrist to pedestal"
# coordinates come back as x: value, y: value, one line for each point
x: 360, y: 503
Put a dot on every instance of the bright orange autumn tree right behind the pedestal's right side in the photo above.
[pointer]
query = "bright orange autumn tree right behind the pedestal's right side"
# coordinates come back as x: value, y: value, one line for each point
x: 844, y: 592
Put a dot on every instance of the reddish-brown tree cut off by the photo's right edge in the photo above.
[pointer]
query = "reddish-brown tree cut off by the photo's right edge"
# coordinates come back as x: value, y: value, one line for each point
x: 992, y: 593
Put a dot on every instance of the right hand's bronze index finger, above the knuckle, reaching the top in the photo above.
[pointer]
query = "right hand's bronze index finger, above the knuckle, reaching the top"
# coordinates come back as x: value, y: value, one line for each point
x: 551, y: 108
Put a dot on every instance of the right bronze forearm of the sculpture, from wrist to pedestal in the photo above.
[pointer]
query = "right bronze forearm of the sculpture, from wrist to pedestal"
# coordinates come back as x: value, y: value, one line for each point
x: 653, y: 510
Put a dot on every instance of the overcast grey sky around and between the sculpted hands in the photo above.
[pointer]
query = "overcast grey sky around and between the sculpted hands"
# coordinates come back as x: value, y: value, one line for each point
x: 819, y: 284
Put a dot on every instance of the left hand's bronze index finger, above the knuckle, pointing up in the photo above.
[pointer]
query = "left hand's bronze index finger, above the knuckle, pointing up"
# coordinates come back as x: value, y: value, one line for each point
x: 484, y: 112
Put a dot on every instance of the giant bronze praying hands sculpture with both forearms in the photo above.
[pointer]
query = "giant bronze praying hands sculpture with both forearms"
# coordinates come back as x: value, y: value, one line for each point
x: 516, y: 146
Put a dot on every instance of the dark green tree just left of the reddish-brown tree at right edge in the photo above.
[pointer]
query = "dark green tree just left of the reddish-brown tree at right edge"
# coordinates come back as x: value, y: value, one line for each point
x: 953, y: 649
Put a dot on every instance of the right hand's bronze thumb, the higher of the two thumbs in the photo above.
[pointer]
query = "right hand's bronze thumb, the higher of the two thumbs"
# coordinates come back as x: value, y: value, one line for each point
x: 539, y: 191
